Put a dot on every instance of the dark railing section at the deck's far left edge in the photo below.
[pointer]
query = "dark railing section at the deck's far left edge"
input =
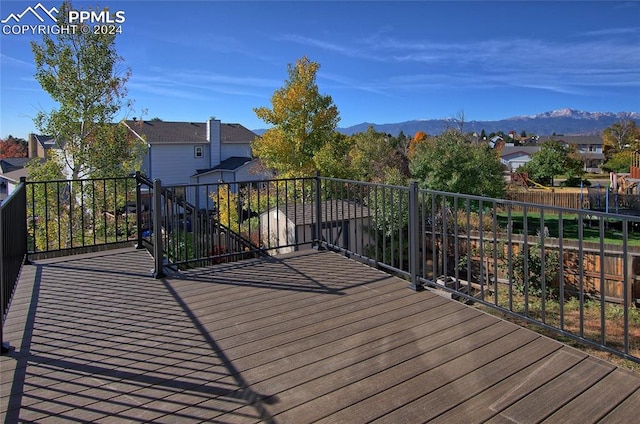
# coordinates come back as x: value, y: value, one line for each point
x: 13, y: 248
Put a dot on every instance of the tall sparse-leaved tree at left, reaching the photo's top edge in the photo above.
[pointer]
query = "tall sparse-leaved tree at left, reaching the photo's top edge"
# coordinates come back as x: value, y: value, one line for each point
x: 80, y: 71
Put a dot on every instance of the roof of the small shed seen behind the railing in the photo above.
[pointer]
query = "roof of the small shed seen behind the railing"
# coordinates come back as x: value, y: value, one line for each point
x: 332, y: 211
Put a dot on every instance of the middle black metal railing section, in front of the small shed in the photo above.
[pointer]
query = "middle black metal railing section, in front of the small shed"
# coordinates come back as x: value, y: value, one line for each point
x: 227, y: 221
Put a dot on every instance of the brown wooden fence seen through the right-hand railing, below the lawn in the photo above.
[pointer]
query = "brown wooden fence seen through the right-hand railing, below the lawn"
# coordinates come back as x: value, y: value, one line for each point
x: 600, y: 271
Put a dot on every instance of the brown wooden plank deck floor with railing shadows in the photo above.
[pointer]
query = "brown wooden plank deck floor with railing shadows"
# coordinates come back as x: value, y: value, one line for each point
x: 307, y: 337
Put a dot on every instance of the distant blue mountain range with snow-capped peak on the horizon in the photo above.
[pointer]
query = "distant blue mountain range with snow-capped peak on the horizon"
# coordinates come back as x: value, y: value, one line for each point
x: 562, y: 121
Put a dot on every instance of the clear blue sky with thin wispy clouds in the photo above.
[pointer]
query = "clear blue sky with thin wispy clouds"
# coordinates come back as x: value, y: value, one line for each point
x: 381, y: 62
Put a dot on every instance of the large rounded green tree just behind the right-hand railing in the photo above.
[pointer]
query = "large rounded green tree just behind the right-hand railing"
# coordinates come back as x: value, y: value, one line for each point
x: 450, y: 163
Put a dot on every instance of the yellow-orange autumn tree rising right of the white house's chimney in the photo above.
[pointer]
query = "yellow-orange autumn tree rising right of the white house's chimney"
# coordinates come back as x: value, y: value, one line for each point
x: 303, y: 122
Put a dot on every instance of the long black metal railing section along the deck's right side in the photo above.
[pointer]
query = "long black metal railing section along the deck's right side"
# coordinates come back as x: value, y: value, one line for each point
x: 573, y: 272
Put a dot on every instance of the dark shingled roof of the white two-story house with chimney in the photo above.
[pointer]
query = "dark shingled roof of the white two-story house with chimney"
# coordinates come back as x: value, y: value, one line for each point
x: 161, y: 132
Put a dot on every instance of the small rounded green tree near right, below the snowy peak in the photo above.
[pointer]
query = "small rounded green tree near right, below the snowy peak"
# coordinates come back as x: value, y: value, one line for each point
x: 553, y: 159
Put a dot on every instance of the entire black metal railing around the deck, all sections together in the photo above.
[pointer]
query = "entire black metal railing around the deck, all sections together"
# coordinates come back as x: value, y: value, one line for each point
x: 574, y: 272
